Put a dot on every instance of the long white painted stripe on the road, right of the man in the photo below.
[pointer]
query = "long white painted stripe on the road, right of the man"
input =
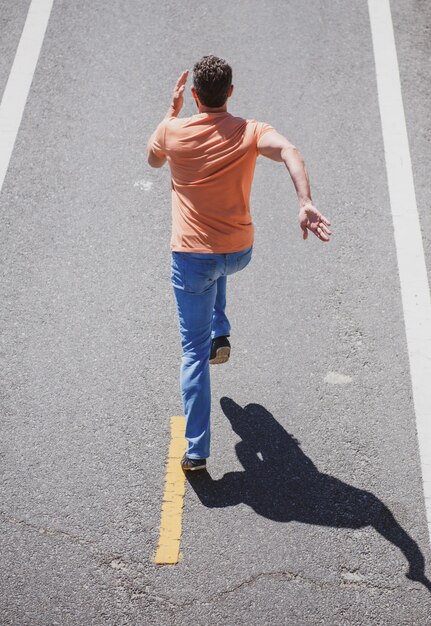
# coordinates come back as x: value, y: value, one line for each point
x: 408, y: 239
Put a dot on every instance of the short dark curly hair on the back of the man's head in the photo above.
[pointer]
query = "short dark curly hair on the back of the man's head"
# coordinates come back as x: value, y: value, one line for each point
x: 212, y: 78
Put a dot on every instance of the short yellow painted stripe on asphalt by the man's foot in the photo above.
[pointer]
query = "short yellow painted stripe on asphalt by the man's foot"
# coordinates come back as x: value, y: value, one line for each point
x: 168, y: 549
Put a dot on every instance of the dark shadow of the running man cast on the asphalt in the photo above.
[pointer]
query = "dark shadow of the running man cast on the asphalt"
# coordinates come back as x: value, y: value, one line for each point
x: 281, y: 483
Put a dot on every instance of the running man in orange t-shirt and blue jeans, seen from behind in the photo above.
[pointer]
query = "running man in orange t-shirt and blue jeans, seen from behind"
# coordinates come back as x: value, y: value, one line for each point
x: 212, y: 156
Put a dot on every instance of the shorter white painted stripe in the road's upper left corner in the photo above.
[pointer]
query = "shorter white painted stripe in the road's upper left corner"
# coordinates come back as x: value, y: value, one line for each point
x: 20, y: 79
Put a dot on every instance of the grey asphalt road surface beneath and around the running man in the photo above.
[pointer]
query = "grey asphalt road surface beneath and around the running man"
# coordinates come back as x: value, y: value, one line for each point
x: 318, y: 378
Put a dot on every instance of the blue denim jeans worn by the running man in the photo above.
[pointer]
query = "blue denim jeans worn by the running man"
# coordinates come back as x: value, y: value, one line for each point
x: 199, y: 283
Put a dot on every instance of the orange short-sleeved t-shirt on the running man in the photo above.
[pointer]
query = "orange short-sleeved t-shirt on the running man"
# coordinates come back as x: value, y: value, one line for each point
x: 212, y: 157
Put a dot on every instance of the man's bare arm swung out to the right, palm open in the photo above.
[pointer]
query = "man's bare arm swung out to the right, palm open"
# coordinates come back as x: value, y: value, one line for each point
x: 276, y: 147
